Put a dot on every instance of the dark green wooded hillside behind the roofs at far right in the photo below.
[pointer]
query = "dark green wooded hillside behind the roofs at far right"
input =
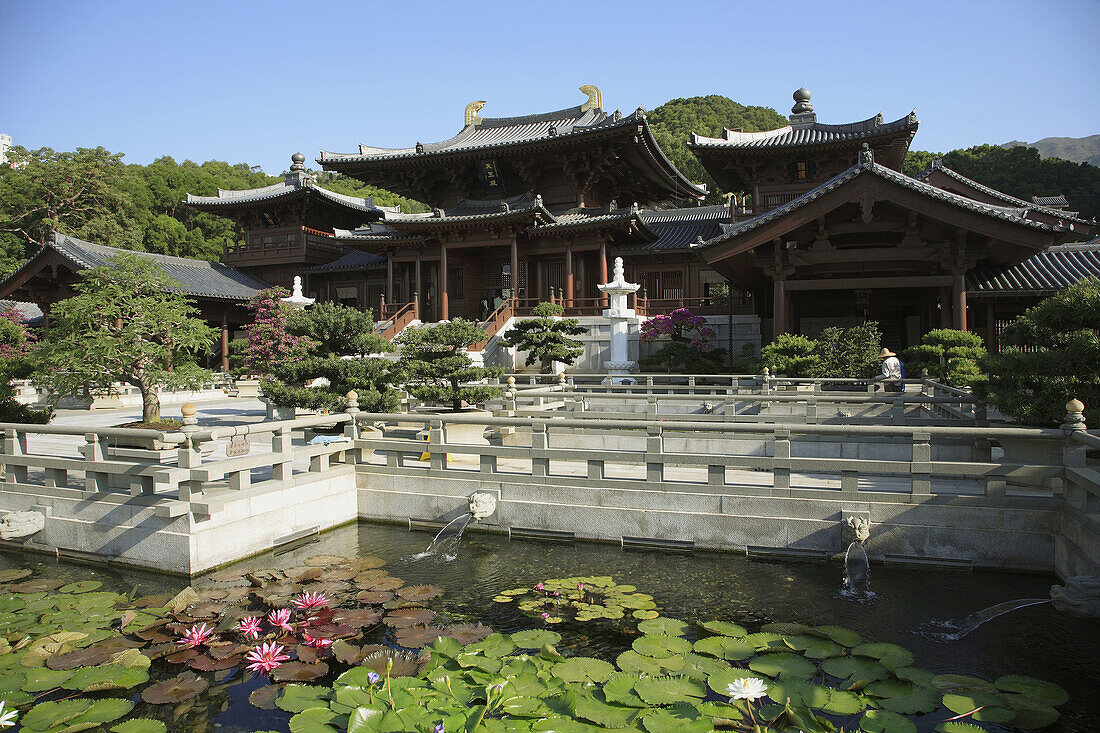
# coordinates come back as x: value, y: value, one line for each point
x: 1020, y: 172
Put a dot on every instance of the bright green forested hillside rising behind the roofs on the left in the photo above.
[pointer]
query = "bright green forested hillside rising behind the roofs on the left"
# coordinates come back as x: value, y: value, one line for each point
x: 93, y: 194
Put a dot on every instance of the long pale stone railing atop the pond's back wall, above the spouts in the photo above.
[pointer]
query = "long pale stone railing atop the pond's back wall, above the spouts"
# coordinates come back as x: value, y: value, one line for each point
x: 680, y: 455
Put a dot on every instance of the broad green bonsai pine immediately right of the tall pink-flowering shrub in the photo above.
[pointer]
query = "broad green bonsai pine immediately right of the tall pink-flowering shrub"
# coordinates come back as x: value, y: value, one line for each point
x: 343, y: 340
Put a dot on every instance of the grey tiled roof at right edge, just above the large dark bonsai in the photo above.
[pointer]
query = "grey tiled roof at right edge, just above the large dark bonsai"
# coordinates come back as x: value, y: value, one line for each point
x: 1053, y: 270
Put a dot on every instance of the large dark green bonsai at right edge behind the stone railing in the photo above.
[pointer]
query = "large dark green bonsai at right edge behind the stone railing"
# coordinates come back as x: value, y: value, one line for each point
x: 1062, y: 335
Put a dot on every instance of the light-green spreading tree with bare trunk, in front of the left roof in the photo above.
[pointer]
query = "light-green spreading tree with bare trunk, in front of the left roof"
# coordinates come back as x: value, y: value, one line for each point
x: 126, y: 324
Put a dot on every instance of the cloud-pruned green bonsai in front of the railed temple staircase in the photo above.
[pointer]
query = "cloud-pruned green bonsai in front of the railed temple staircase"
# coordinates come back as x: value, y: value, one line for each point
x: 435, y: 367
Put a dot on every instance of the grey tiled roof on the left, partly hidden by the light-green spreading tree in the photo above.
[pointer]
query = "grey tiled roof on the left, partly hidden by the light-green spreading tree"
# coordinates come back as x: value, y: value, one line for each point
x: 196, y: 278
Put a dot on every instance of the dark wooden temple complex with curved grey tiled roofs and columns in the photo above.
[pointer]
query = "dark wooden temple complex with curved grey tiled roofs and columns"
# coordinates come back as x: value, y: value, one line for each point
x: 823, y: 228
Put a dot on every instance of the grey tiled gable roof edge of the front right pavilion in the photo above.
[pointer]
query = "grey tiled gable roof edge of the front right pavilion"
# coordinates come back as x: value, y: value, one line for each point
x: 868, y: 168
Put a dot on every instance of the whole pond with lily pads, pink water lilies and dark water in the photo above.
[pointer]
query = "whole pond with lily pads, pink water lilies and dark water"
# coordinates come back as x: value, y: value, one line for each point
x: 353, y: 633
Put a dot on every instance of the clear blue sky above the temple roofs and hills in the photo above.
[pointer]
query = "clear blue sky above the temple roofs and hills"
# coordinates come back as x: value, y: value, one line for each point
x: 256, y: 82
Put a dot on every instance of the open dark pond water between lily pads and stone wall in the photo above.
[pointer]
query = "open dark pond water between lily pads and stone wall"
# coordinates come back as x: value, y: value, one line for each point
x: 1037, y: 641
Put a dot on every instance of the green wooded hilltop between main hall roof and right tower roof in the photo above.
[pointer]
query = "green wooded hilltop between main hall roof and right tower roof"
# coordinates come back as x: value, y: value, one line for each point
x: 674, y: 123
